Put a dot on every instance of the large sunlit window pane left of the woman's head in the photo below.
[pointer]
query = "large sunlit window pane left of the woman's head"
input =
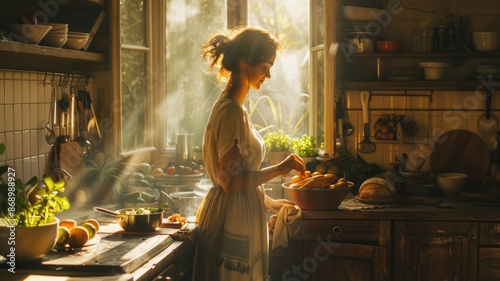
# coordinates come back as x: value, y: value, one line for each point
x: 190, y: 92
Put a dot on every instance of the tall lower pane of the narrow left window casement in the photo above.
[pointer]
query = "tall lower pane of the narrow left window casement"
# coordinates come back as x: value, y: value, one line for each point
x: 134, y: 90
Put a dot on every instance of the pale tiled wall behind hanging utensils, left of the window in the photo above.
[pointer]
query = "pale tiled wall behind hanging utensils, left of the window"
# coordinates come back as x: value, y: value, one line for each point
x: 24, y: 107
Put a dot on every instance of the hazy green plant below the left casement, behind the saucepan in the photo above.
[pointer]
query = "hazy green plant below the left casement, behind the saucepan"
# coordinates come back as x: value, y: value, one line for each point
x: 101, y: 180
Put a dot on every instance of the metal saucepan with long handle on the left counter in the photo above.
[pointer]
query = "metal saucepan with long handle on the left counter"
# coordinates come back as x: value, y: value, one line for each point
x: 136, y: 219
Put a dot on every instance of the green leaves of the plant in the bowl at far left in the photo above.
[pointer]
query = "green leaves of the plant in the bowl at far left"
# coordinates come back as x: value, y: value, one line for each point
x: 30, y: 203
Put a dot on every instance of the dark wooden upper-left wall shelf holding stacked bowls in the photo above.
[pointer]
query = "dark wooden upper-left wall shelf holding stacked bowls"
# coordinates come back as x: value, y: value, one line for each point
x: 23, y: 56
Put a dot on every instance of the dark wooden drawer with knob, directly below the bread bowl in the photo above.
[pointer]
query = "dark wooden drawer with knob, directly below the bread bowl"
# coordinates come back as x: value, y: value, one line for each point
x: 341, y: 230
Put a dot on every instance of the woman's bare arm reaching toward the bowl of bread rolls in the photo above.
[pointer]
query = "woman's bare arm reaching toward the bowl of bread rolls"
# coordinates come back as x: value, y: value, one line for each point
x: 235, y: 179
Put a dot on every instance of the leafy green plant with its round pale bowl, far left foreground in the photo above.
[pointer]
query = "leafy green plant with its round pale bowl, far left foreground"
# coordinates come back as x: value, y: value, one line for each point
x: 27, y: 215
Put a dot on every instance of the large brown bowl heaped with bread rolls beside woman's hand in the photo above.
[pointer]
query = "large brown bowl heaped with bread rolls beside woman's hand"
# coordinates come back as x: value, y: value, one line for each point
x: 318, y: 192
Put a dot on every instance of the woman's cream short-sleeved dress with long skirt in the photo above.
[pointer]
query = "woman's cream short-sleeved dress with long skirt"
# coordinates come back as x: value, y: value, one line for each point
x: 232, y: 241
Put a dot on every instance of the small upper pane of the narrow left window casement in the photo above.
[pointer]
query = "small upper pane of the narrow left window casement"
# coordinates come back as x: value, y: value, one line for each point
x: 132, y: 22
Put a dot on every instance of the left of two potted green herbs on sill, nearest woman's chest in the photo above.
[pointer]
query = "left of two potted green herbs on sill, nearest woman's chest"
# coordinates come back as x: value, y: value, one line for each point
x: 278, y: 146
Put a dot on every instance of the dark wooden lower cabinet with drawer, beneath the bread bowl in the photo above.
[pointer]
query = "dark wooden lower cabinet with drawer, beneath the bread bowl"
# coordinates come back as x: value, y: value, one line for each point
x: 336, y: 250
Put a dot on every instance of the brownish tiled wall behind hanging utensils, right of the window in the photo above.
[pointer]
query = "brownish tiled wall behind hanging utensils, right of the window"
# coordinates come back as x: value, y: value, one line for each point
x: 448, y: 110
